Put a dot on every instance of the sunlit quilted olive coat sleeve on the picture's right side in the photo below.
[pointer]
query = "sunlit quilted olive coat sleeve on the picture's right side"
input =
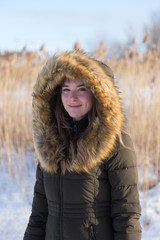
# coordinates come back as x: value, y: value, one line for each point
x: 125, y: 206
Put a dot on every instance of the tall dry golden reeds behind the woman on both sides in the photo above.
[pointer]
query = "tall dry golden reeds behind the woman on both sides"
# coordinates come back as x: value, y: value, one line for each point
x: 138, y: 77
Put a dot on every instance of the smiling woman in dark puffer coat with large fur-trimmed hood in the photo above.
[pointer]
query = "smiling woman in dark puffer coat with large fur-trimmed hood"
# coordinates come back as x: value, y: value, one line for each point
x: 86, y: 185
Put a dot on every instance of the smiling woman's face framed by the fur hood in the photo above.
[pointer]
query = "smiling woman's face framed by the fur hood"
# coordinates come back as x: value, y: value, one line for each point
x: 76, y: 98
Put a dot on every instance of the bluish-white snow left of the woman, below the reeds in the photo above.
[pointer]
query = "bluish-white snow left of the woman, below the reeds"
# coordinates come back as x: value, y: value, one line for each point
x: 15, y: 201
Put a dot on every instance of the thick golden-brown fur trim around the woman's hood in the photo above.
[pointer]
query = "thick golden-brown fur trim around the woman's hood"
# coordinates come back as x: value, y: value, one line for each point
x: 101, y: 140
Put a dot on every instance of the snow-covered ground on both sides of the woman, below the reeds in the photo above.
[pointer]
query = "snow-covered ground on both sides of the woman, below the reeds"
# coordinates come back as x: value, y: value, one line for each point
x: 16, y: 200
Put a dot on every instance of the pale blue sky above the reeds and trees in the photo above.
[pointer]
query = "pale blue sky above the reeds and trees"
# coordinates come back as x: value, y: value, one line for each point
x: 58, y: 24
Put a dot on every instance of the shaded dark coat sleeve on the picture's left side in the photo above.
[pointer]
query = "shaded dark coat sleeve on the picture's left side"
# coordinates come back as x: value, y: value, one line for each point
x: 37, y: 221
